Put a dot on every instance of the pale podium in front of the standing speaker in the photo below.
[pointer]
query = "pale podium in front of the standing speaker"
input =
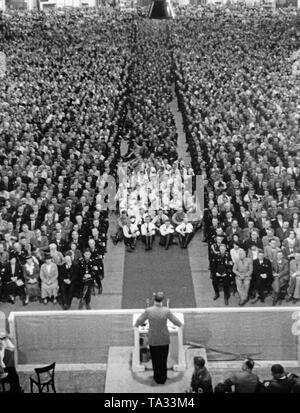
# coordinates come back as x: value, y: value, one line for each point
x: 176, y: 358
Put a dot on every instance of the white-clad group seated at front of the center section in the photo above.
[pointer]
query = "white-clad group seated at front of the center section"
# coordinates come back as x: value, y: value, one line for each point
x: 159, y: 201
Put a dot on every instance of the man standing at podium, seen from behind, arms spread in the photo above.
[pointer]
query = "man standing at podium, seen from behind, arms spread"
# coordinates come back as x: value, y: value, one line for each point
x: 159, y: 338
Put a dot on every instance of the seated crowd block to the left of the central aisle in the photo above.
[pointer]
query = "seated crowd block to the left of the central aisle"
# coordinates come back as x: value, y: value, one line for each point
x: 62, y: 105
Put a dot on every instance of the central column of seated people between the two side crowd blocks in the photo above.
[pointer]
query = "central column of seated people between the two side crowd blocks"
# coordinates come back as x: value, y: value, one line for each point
x: 155, y: 188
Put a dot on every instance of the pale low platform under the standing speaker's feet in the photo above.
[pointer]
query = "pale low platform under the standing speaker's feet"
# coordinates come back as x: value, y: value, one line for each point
x: 121, y: 379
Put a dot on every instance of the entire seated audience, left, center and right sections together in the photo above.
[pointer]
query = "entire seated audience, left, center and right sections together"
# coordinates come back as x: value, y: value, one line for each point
x: 82, y: 102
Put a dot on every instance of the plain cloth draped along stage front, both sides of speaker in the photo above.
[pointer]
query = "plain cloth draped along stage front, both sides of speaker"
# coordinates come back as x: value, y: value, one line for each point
x: 86, y: 337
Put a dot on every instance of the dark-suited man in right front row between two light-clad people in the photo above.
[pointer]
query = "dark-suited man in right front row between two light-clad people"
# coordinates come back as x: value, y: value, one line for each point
x: 262, y: 276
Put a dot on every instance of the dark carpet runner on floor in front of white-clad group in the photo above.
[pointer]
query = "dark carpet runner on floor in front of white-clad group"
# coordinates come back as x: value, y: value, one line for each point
x: 146, y: 272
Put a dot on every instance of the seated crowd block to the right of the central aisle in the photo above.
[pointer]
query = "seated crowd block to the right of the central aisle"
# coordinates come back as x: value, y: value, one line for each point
x: 240, y: 98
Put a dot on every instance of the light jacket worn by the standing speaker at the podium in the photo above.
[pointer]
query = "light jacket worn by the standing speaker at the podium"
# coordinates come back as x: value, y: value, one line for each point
x: 158, y: 331
